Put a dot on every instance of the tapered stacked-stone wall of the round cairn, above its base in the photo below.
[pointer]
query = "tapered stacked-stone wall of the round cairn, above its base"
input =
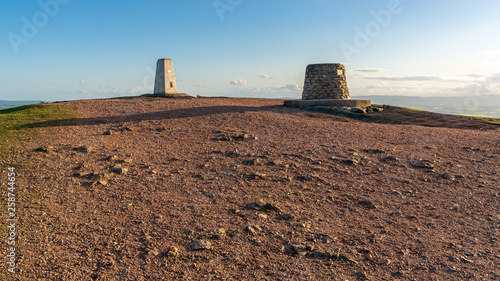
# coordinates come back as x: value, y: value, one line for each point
x: 325, y: 81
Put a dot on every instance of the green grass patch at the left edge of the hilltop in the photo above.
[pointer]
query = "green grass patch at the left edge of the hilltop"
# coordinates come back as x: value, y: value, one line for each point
x: 16, y: 124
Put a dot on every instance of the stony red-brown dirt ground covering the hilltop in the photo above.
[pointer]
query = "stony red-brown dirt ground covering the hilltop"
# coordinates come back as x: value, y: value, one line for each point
x: 278, y: 193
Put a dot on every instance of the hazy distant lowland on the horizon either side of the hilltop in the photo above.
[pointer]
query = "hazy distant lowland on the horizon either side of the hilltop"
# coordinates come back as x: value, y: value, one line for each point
x: 477, y: 106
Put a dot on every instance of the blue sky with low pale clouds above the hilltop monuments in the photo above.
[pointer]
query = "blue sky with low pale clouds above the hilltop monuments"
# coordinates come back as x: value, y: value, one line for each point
x: 75, y: 49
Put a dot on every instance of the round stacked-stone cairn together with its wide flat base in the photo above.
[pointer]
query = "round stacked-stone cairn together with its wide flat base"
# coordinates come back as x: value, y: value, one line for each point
x: 325, y: 85
